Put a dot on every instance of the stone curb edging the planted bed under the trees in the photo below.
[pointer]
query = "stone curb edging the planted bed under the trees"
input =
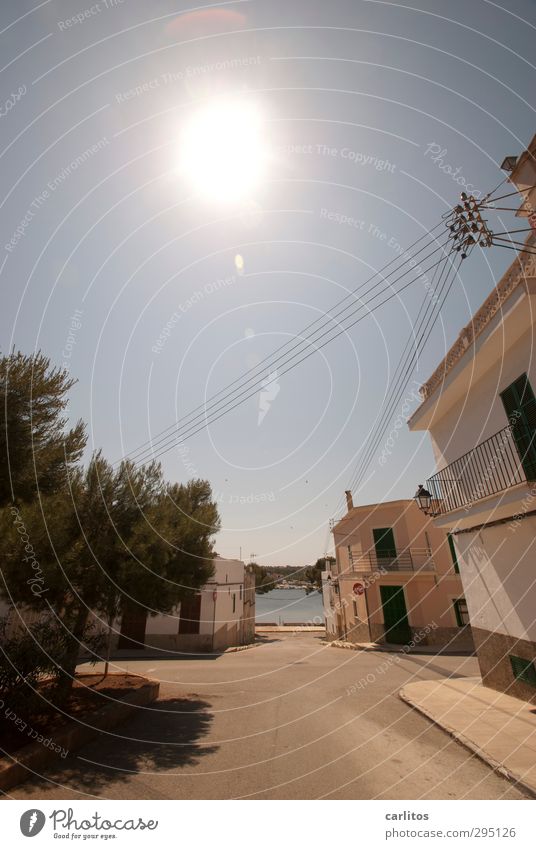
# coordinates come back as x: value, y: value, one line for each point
x: 35, y: 756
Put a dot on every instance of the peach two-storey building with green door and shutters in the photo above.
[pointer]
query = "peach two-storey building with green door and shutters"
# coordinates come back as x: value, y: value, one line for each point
x: 395, y: 580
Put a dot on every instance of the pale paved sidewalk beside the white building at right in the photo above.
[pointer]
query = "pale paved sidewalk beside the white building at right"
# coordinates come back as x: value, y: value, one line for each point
x: 499, y: 729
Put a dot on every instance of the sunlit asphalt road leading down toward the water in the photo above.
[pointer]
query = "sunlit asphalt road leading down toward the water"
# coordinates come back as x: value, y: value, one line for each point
x: 291, y: 718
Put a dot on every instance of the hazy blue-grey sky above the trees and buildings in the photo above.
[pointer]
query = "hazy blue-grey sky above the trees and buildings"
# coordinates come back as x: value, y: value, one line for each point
x: 371, y: 117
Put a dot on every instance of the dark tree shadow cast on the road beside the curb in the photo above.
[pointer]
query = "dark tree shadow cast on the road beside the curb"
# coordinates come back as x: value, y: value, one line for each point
x: 163, y: 736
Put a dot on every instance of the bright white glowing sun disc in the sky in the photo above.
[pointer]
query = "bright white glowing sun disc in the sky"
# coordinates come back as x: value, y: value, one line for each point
x: 223, y: 151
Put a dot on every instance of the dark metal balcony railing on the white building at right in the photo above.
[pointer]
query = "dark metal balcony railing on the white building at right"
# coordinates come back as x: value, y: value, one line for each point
x: 504, y: 460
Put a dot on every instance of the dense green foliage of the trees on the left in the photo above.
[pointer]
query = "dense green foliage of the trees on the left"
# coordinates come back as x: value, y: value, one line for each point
x: 83, y: 543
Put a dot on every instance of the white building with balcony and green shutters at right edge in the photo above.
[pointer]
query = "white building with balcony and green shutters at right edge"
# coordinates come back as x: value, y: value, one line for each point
x: 480, y: 409
